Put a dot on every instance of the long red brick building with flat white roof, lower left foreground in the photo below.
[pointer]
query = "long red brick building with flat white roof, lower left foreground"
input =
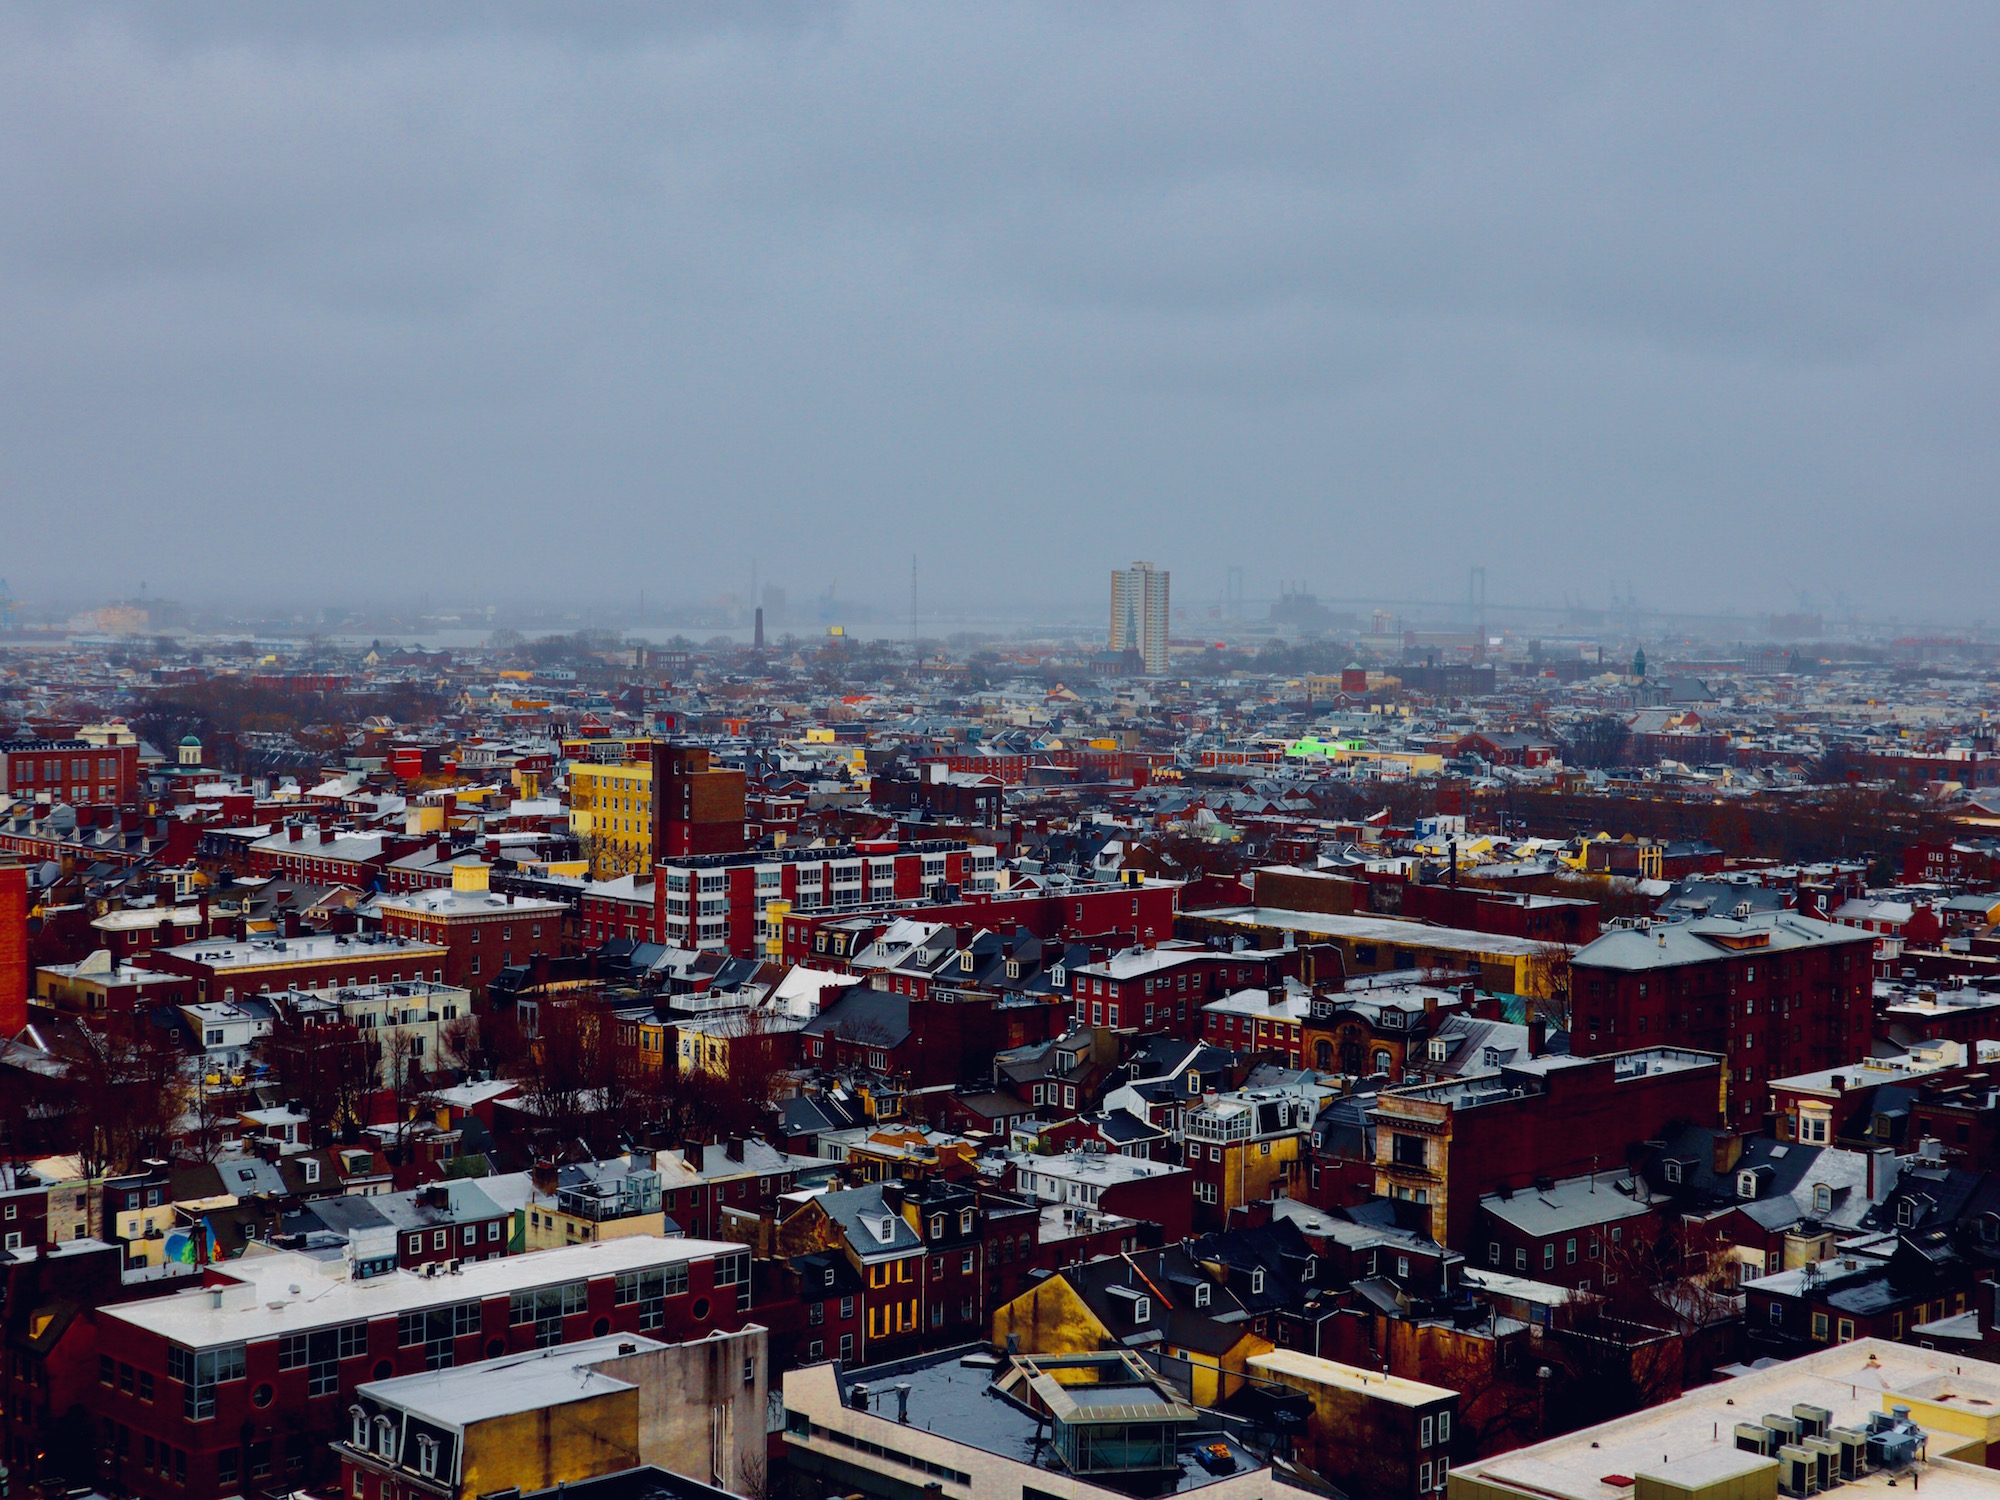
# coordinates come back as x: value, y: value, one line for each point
x: 243, y: 1385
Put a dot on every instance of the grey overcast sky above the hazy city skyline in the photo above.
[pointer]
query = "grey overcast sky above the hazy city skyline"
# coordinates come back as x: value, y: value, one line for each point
x: 339, y: 301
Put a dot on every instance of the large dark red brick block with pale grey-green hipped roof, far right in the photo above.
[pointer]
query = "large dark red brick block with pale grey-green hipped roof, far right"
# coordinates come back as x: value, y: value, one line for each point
x: 1775, y: 993
